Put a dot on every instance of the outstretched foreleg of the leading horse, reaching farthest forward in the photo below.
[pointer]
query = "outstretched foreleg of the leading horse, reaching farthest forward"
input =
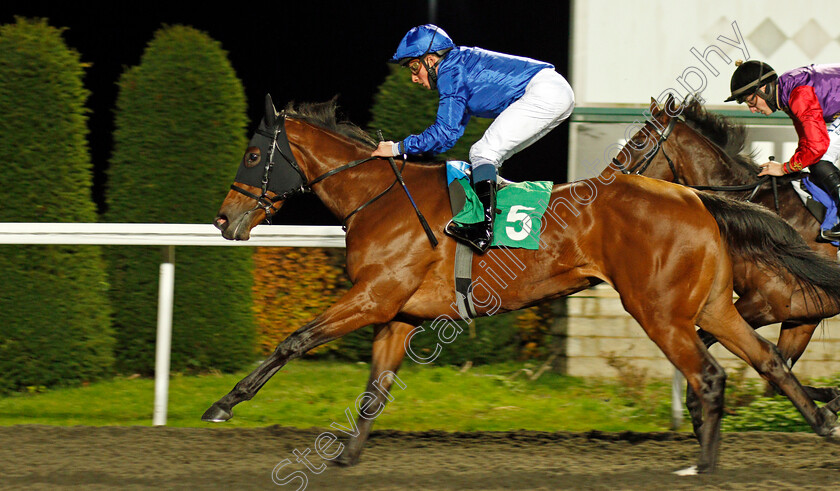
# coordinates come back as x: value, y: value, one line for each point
x: 359, y: 307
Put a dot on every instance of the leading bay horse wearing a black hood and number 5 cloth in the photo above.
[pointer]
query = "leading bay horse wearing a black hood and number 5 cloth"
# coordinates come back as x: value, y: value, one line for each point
x: 664, y: 248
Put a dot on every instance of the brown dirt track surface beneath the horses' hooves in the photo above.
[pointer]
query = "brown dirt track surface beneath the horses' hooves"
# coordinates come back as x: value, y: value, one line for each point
x: 43, y: 457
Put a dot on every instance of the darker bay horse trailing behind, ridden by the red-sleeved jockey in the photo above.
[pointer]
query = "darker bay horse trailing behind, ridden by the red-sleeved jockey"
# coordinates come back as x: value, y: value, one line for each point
x: 704, y: 150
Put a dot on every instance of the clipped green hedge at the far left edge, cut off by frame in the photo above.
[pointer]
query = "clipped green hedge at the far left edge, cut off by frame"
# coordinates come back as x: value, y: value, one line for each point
x: 54, y: 313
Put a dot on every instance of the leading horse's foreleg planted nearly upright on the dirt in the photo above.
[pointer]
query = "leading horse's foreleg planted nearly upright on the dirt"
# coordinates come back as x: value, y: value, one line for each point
x: 388, y: 353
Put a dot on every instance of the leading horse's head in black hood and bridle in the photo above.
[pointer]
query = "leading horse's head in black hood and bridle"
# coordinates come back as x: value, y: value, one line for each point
x: 267, y: 175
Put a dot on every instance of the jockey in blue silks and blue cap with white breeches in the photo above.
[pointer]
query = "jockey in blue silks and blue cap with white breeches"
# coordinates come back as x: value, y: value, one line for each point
x: 526, y: 97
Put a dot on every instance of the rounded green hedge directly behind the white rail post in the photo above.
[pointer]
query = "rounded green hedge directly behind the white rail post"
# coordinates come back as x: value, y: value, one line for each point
x: 180, y: 132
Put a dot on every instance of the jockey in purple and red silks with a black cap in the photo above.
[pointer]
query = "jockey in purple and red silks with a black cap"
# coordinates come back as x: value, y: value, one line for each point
x: 810, y: 95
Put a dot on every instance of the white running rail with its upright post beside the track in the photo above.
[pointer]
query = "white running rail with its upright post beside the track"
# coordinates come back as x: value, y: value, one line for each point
x: 168, y: 236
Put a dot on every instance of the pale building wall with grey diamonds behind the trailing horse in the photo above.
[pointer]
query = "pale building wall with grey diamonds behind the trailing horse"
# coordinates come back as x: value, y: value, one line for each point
x: 624, y: 53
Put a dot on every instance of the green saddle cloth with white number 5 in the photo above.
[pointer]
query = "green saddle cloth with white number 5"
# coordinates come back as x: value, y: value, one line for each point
x: 522, y: 206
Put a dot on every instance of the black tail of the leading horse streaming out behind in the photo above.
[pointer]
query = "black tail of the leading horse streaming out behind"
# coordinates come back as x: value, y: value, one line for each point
x: 757, y: 235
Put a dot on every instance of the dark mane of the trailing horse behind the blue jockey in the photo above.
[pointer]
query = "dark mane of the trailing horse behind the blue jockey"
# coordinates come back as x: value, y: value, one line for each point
x: 730, y: 137
